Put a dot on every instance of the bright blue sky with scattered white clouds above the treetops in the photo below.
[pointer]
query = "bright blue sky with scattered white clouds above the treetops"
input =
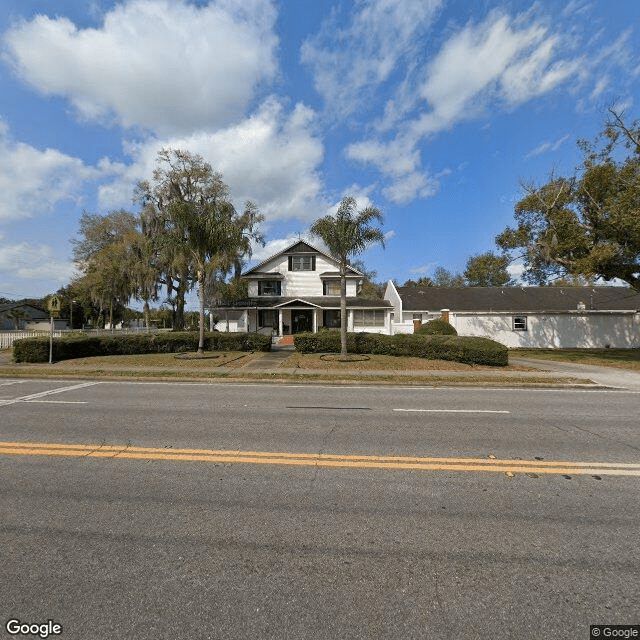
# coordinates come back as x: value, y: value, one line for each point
x: 432, y: 110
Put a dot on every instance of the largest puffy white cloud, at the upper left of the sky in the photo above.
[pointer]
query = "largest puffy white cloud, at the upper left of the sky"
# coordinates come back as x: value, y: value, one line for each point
x: 164, y: 65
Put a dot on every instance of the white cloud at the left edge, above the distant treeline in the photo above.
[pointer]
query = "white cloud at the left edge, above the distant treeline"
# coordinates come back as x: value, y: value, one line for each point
x: 33, y: 181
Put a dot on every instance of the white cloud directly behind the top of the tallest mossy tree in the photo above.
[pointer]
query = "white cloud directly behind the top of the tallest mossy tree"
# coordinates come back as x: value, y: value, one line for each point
x: 271, y: 158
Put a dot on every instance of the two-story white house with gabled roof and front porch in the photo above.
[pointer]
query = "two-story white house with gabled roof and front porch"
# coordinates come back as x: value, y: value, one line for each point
x: 298, y: 290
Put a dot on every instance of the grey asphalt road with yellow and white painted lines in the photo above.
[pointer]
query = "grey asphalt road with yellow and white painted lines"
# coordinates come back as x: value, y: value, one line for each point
x: 172, y: 516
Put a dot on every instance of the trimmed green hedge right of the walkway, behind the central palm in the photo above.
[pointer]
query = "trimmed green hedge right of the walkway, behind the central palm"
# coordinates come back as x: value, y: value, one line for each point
x: 469, y: 350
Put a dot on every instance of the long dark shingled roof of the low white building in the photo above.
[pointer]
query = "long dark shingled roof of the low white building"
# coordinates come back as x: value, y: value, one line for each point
x: 519, y: 299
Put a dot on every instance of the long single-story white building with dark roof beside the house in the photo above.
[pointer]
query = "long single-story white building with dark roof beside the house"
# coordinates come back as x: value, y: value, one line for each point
x: 533, y: 317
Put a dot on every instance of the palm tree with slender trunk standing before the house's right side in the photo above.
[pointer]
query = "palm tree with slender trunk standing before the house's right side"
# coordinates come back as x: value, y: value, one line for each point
x: 348, y: 233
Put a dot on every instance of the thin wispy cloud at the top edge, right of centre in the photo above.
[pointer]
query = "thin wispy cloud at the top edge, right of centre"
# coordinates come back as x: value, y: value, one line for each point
x: 346, y: 61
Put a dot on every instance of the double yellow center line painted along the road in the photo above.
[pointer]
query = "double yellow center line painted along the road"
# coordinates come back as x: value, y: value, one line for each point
x: 492, y: 465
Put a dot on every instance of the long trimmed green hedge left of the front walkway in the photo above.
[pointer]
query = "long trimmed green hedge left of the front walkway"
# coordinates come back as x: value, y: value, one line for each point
x: 37, y: 349
